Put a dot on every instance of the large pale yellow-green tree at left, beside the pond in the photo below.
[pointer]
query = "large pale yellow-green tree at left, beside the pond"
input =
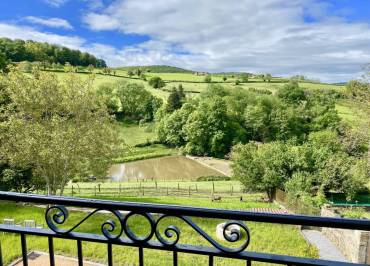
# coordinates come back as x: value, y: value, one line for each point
x: 61, y: 129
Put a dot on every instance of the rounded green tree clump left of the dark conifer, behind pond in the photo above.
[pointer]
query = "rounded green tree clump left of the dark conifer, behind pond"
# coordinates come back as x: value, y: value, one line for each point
x: 136, y: 102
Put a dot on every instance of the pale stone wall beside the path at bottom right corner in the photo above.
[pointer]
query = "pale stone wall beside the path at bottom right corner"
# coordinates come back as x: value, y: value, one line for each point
x: 354, y: 244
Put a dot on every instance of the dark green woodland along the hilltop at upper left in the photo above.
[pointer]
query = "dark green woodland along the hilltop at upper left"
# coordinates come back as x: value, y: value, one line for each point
x: 20, y: 50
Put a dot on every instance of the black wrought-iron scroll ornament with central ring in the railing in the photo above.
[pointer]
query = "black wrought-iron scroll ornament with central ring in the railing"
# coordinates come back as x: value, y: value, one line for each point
x: 172, y: 232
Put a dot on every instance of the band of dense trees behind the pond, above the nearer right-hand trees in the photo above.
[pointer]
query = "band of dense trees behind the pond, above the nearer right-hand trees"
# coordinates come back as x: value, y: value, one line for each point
x: 222, y: 117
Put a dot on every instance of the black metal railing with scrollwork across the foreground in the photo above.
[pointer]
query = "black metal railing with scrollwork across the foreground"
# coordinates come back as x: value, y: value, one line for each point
x: 117, y: 231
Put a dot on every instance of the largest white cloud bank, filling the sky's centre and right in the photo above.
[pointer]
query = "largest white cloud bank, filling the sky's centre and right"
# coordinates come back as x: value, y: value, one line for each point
x: 246, y: 35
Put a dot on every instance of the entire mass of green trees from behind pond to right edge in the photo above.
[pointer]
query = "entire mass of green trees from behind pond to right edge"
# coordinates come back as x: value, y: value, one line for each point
x: 293, y: 140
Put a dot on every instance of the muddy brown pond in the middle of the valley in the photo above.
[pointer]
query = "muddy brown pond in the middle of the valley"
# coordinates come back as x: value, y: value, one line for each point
x: 163, y: 168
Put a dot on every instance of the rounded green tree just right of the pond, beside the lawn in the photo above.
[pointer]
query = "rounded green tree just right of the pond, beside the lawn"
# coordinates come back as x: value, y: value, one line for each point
x: 260, y: 167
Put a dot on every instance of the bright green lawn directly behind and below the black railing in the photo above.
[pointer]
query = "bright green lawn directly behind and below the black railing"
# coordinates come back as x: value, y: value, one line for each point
x: 270, y: 238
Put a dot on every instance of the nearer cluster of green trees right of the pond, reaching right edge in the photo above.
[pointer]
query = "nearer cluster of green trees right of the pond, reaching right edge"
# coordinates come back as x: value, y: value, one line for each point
x: 306, y: 171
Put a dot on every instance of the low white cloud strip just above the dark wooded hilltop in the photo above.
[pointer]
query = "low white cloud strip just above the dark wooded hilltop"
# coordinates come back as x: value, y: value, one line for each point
x: 29, y: 33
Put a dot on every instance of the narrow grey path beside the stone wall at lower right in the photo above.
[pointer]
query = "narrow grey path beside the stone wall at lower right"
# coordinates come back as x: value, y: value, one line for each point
x: 327, y: 250
